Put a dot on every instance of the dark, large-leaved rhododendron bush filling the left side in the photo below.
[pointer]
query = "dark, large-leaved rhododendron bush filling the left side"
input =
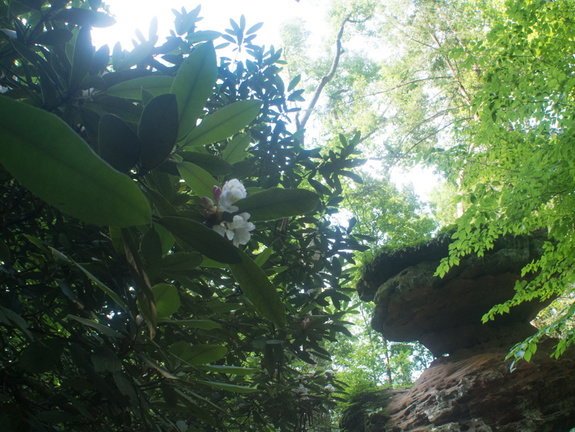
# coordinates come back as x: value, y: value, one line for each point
x: 122, y: 308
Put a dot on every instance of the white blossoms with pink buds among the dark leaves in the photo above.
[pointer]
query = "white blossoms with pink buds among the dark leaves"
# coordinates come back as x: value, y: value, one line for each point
x: 238, y: 228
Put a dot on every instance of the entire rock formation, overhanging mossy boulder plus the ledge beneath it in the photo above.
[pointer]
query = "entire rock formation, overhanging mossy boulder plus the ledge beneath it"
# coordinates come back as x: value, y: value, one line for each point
x: 469, y: 387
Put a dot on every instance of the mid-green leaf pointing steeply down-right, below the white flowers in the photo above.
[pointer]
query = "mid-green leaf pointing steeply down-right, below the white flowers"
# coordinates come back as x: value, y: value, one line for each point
x: 258, y: 289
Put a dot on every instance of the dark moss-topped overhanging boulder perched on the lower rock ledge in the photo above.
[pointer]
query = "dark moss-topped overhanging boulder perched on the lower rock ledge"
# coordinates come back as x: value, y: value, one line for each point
x: 444, y: 314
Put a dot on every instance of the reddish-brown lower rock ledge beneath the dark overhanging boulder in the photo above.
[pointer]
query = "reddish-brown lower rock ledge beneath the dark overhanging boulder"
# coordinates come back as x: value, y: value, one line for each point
x: 475, y: 394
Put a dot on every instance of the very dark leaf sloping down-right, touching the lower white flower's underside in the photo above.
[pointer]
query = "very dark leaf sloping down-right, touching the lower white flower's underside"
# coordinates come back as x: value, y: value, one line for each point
x: 203, y: 239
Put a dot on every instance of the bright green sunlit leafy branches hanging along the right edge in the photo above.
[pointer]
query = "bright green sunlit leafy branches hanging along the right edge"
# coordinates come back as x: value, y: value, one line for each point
x: 519, y: 178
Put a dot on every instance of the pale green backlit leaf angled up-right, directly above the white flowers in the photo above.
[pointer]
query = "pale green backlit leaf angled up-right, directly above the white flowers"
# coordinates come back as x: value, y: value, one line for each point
x: 224, y: 123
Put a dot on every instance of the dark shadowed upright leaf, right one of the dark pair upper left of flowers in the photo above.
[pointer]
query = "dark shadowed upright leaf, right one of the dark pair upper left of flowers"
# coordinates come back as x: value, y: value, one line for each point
x: 158, y: 130
